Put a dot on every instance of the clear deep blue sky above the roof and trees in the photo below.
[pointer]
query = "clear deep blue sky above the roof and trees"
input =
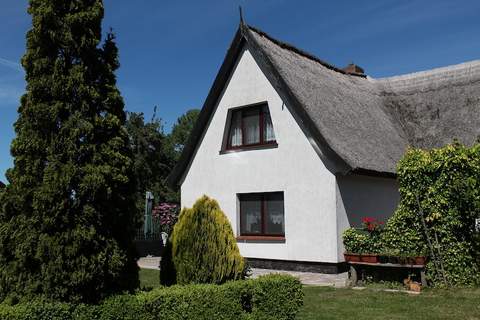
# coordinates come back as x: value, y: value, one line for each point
x: 171, y: 50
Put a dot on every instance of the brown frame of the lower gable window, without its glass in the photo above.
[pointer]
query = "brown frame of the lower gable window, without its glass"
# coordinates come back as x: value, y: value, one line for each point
x: 263, y: 215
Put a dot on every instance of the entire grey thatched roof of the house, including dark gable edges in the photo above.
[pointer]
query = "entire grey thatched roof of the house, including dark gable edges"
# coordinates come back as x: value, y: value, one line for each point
x: 363, y: 124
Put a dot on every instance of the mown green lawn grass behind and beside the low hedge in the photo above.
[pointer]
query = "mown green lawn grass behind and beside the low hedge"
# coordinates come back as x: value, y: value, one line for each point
x: 371, y: 304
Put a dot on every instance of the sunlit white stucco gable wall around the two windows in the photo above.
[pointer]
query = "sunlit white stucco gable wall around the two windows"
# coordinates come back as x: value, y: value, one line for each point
x: 294, y: 168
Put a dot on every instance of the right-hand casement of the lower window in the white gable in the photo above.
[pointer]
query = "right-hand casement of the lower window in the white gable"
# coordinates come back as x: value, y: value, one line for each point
x: 275, y: 223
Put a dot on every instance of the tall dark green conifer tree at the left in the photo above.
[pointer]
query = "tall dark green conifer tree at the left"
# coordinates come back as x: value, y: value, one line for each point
x: 67, y: 219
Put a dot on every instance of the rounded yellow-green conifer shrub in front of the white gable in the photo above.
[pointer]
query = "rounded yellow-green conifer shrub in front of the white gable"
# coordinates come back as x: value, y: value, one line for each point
x: 204, y: 248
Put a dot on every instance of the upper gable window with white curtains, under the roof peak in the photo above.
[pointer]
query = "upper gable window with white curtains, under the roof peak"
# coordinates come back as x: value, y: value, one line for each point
x: 250, y: 126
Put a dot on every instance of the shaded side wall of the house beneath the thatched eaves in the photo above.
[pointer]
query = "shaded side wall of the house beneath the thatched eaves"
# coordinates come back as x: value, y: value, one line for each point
x: 362, y: 196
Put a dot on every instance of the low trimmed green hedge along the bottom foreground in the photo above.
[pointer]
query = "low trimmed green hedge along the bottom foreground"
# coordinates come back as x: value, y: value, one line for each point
x: 266, y: 298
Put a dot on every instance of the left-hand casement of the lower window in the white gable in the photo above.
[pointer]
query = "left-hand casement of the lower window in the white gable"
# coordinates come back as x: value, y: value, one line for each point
x: 251, y: 214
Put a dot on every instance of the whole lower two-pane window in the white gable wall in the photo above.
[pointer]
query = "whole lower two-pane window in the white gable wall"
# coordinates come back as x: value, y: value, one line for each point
x: 262, y: 214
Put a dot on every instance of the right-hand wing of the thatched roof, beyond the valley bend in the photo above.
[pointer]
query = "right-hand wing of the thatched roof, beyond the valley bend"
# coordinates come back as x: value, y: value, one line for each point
x: 434, y: 107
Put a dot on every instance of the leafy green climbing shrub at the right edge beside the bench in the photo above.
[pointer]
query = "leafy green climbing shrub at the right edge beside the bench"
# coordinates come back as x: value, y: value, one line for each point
x: 444, y: 184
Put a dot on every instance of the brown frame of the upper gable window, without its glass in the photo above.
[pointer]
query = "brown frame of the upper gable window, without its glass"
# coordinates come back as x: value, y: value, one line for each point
x: 260, y: 107
